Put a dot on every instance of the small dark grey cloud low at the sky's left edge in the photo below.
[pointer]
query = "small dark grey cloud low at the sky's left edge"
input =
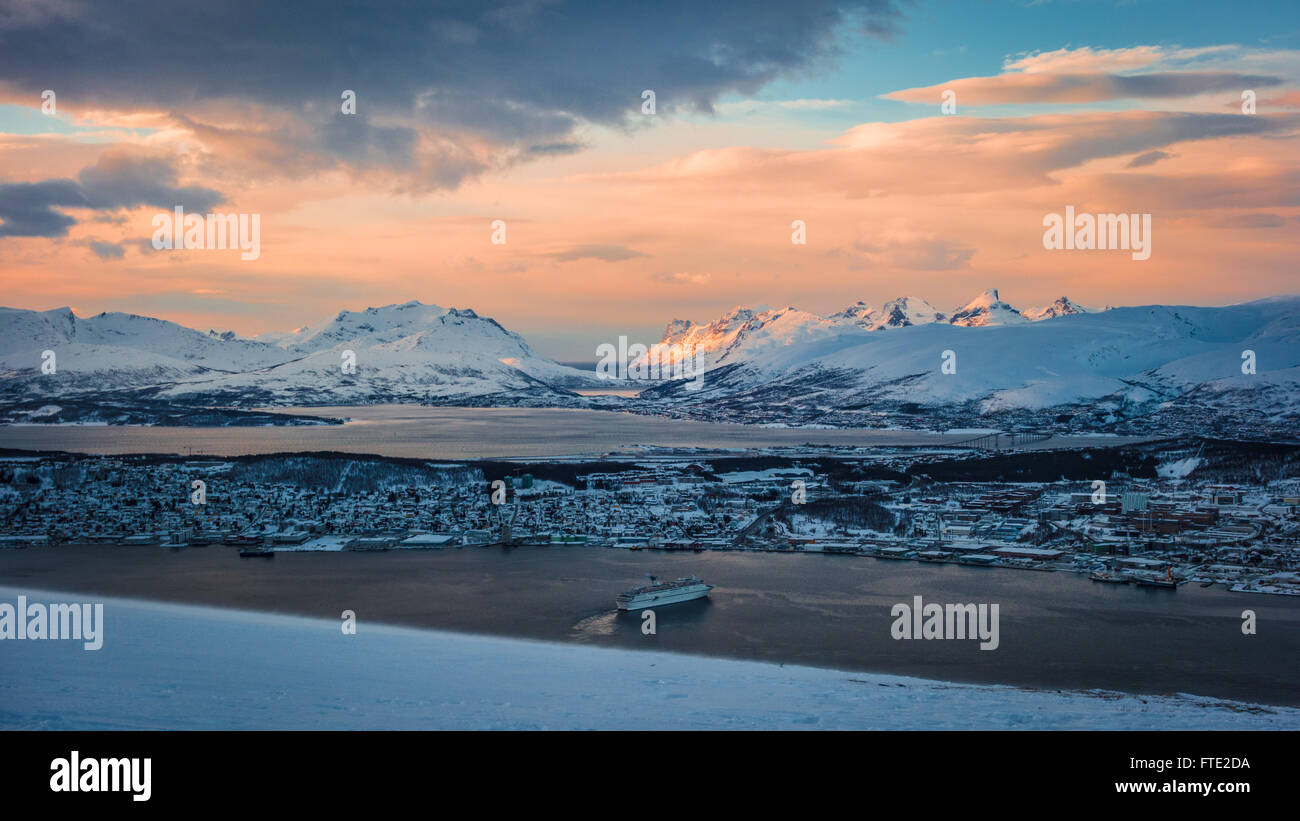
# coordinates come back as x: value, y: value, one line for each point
x: 115, y: 183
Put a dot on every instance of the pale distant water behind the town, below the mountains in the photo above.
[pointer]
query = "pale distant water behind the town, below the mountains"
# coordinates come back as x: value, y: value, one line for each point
x: 463, y: 433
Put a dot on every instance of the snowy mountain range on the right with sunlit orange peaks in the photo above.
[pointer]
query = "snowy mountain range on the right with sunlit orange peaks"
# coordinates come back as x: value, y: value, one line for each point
x: 1107, y: 367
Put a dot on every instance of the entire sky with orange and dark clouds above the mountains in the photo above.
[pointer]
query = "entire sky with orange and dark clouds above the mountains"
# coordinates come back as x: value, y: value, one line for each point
x: 619, y: 220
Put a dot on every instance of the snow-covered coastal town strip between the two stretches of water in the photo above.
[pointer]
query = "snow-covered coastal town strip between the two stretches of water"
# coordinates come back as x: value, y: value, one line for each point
x: 902, y: 505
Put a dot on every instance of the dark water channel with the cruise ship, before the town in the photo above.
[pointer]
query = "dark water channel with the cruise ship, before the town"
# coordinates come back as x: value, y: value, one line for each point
x: 1058, y: 631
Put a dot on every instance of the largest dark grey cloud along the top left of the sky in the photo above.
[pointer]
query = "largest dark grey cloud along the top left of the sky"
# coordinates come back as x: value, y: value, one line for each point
x: 444, y: 90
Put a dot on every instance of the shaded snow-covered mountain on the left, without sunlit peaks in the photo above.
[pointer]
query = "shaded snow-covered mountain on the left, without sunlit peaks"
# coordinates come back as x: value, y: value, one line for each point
x: 410, y: 353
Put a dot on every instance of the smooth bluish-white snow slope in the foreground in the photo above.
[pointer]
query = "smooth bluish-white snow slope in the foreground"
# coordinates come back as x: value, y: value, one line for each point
x: 190, y: 668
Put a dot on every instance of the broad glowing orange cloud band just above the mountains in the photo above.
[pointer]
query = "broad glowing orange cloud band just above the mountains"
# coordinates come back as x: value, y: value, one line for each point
x: 939, y: 208
